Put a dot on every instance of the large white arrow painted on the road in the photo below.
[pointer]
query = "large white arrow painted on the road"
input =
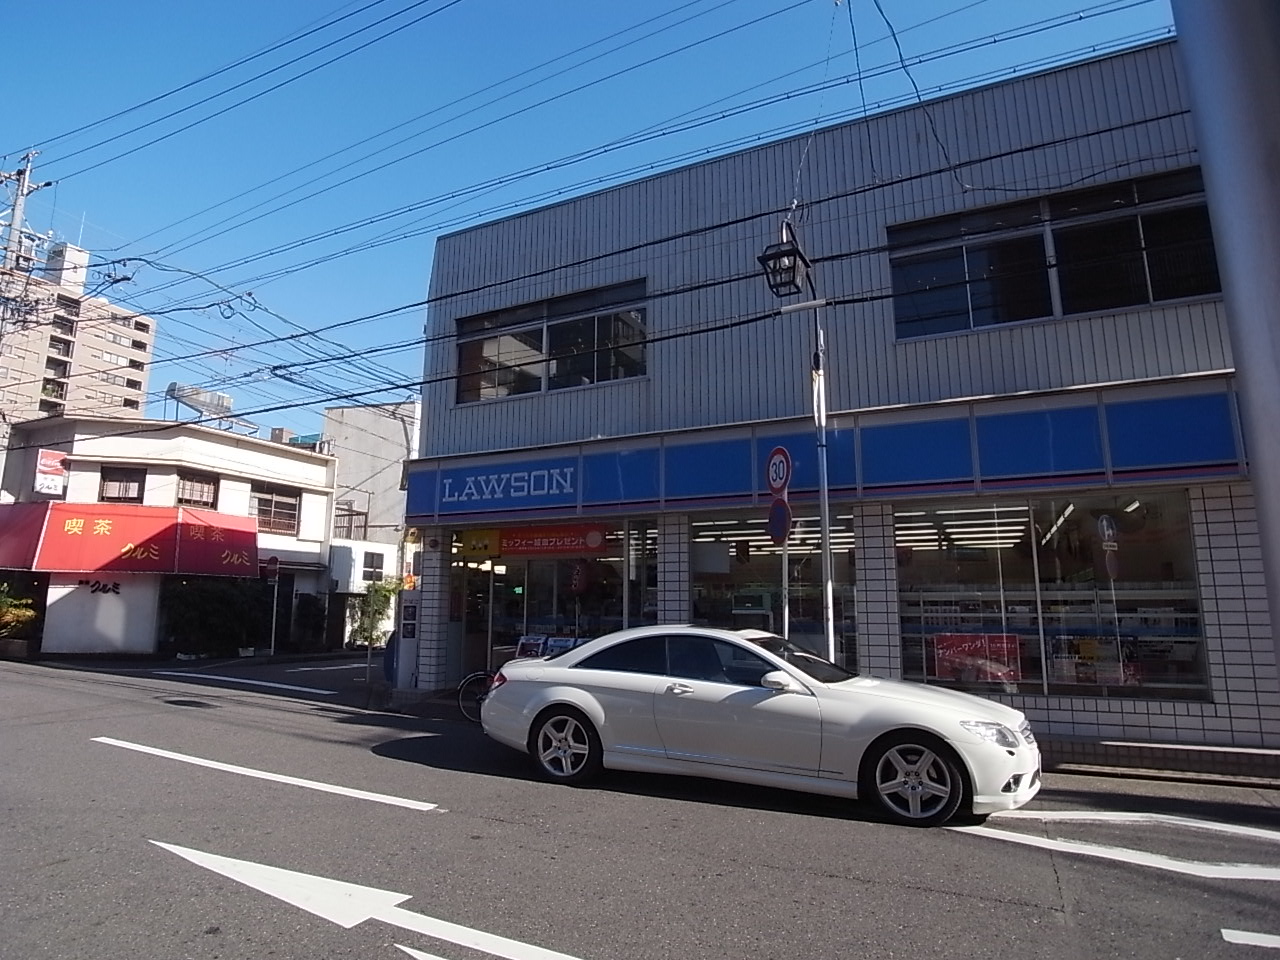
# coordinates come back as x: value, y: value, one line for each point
x: 349, y: 904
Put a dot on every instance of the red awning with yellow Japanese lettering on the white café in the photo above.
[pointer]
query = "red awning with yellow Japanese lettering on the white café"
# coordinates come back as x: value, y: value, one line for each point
x: 85, y: 538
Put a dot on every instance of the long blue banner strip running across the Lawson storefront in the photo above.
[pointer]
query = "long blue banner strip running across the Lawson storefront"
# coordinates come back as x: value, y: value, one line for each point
x: 1118, y: 441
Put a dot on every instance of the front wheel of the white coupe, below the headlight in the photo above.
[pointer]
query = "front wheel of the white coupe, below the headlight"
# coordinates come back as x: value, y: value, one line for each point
x: 913, y: 779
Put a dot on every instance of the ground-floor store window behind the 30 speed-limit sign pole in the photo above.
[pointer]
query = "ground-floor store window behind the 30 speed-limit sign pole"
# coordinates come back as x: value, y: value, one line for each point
x: 738, y: 582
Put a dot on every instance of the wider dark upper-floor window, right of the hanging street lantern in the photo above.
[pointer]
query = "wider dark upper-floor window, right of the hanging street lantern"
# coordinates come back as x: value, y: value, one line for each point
x: 1109, y: 248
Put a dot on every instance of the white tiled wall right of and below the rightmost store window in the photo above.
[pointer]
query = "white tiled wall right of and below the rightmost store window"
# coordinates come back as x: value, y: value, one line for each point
x: 1242, y: 665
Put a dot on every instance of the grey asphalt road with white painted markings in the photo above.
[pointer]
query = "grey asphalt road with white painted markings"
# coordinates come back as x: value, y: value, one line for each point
x: 102, y: 767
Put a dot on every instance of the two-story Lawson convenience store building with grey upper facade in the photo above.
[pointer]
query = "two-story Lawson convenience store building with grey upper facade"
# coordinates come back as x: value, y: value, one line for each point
x: 1039, y: 484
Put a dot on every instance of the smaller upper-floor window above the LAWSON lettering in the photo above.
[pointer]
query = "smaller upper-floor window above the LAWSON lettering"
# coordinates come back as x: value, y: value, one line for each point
x: 583, y: 339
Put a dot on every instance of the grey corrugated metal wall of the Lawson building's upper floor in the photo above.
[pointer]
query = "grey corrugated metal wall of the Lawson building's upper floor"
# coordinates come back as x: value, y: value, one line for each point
x: 696, y: 235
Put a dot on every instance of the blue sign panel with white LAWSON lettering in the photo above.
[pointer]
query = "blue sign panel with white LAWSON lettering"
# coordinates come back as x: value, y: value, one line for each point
x: 525, y: 486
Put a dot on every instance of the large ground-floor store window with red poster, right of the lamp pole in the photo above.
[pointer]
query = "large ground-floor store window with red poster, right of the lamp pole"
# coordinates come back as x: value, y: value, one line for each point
x: 1073, y: 596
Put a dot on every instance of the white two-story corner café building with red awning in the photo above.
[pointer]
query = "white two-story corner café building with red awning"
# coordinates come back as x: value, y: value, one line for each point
x: 109, y: 515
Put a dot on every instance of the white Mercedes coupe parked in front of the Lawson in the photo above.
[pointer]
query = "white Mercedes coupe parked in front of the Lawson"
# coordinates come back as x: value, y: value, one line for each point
x: 751, y: 707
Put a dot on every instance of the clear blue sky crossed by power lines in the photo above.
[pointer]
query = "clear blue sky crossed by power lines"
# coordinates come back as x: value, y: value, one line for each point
x: 451, y: 116
